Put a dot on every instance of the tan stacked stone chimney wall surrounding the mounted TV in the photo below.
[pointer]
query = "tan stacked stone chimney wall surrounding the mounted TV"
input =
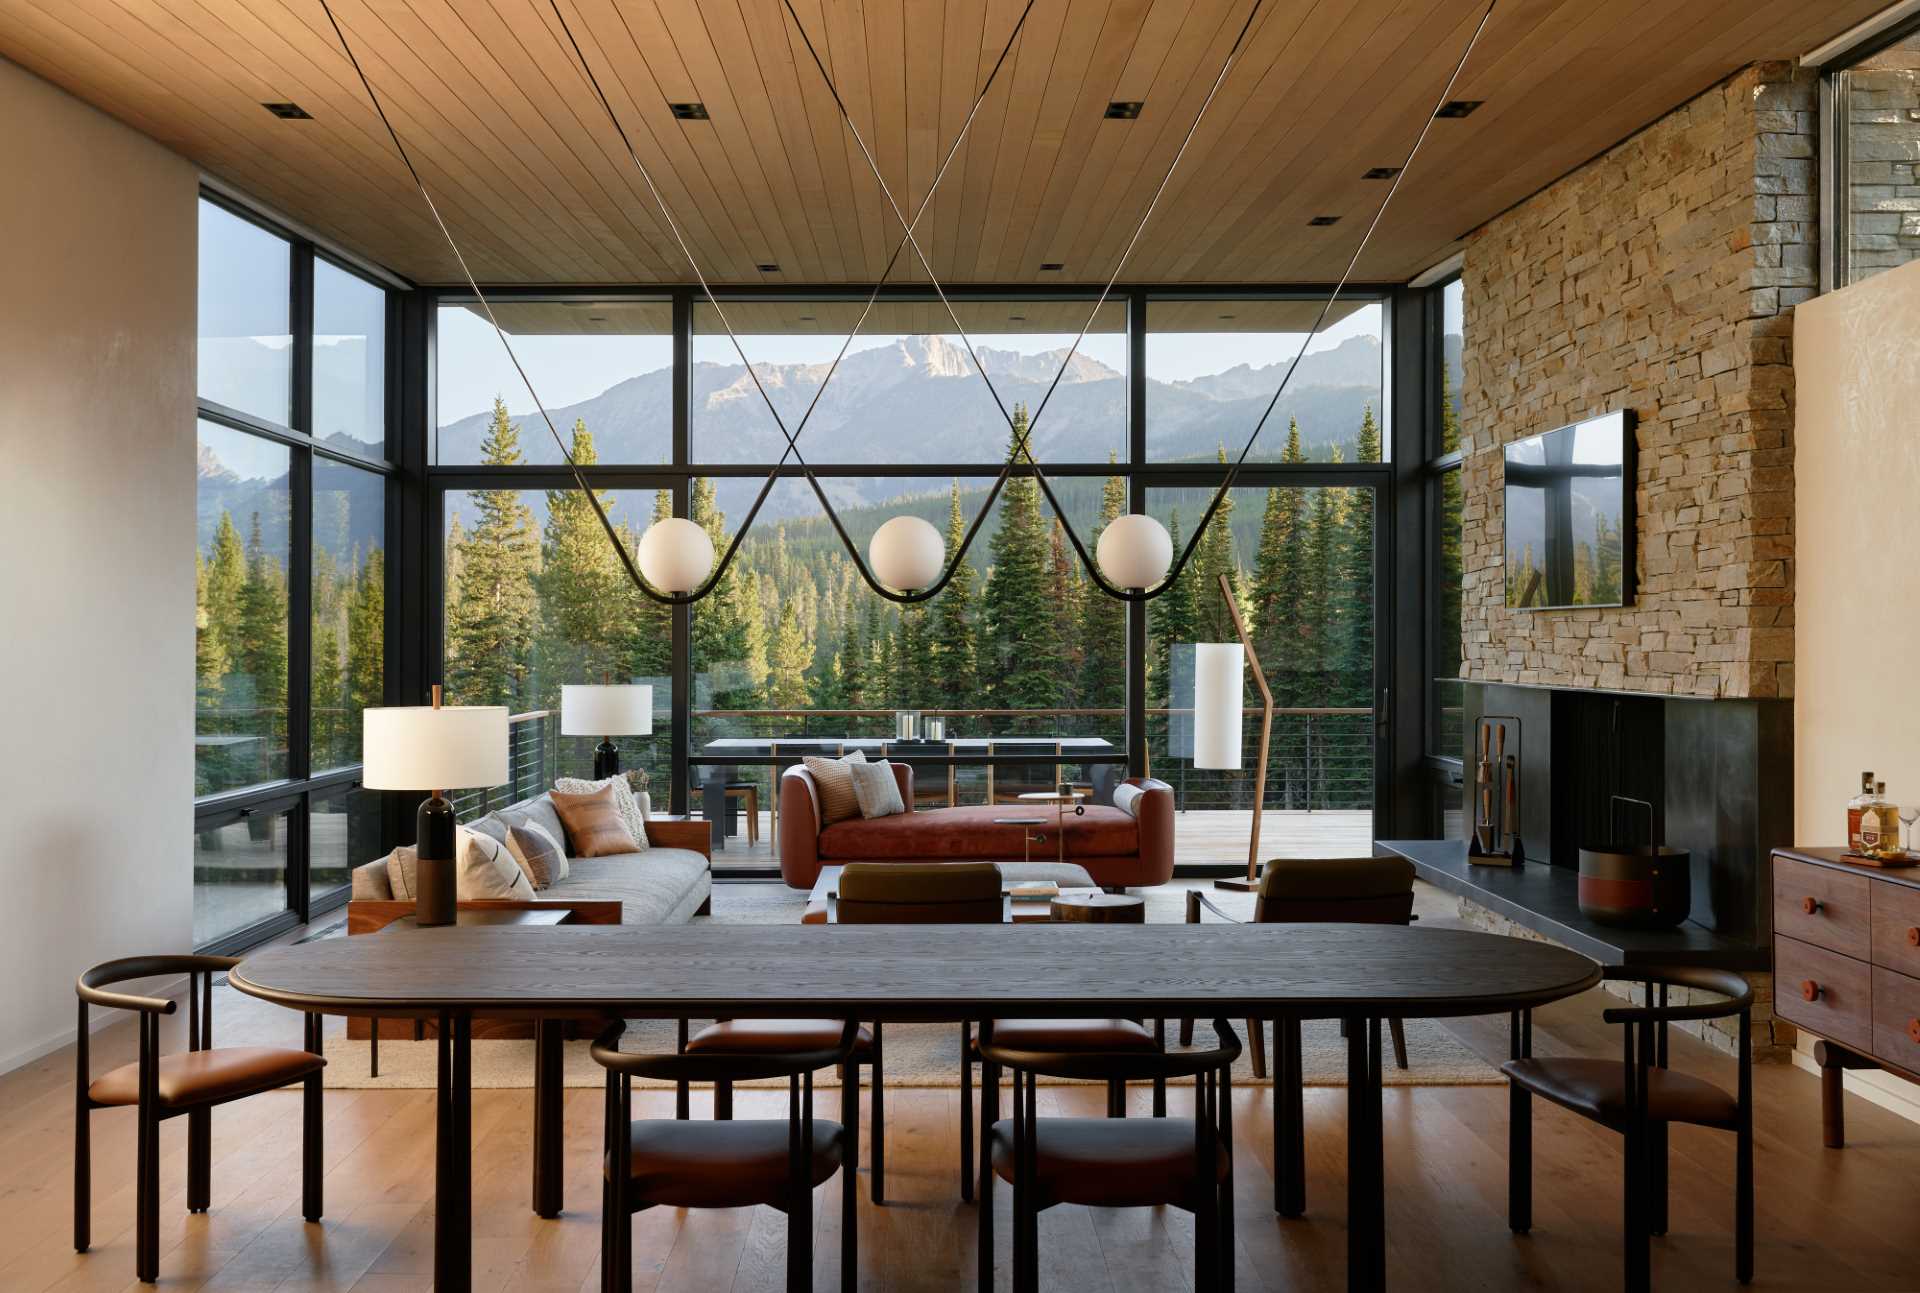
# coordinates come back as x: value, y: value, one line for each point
x: 1660, y: 278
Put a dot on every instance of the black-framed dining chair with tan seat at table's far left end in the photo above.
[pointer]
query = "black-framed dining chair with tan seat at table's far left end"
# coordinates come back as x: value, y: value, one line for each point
x: 189, y: 1083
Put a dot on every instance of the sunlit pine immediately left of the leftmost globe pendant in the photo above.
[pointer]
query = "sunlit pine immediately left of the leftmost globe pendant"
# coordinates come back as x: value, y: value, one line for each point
x: 583, y: 587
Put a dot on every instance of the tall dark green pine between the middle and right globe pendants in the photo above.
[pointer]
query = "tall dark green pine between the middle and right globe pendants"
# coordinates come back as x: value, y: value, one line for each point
x: 1020, y: 650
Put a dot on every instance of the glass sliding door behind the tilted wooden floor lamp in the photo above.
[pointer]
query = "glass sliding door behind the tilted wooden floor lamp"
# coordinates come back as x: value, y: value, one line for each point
x: 1303, y: 568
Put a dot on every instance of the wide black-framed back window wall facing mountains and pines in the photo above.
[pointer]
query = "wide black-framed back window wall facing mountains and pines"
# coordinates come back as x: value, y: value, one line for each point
x: 669, y: 420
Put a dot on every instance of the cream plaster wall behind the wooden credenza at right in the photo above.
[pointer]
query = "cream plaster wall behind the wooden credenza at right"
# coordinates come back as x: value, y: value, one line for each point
x: 1858, y: 604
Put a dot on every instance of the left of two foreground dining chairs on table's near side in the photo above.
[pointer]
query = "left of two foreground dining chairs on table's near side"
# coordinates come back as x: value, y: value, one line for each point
x: 727, y: 1163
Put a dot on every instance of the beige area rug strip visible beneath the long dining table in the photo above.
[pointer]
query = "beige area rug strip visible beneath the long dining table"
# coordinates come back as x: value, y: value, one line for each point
x: 919, y: 1056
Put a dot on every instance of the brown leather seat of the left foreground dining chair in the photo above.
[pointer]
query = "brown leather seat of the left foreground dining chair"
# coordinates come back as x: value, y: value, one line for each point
x: 723, y: 1165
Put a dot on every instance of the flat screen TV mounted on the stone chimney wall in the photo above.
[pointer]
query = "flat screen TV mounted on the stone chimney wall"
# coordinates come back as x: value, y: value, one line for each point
x: 1572, y: 516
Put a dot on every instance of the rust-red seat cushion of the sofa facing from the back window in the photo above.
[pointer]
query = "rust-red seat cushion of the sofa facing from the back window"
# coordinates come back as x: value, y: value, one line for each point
x: 971, y: 833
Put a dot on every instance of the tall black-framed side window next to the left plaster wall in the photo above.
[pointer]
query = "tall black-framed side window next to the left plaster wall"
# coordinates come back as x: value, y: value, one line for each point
x: 291, y: 573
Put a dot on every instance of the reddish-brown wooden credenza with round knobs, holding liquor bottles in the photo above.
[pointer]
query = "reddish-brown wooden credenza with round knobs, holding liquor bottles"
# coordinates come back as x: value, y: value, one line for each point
x: 1848, y: 967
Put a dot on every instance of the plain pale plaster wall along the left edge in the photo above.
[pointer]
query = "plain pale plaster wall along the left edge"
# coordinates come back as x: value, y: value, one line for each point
x: 97, y: 552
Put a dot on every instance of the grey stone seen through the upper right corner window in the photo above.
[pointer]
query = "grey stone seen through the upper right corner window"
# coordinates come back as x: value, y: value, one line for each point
x: 1883, y: 147
